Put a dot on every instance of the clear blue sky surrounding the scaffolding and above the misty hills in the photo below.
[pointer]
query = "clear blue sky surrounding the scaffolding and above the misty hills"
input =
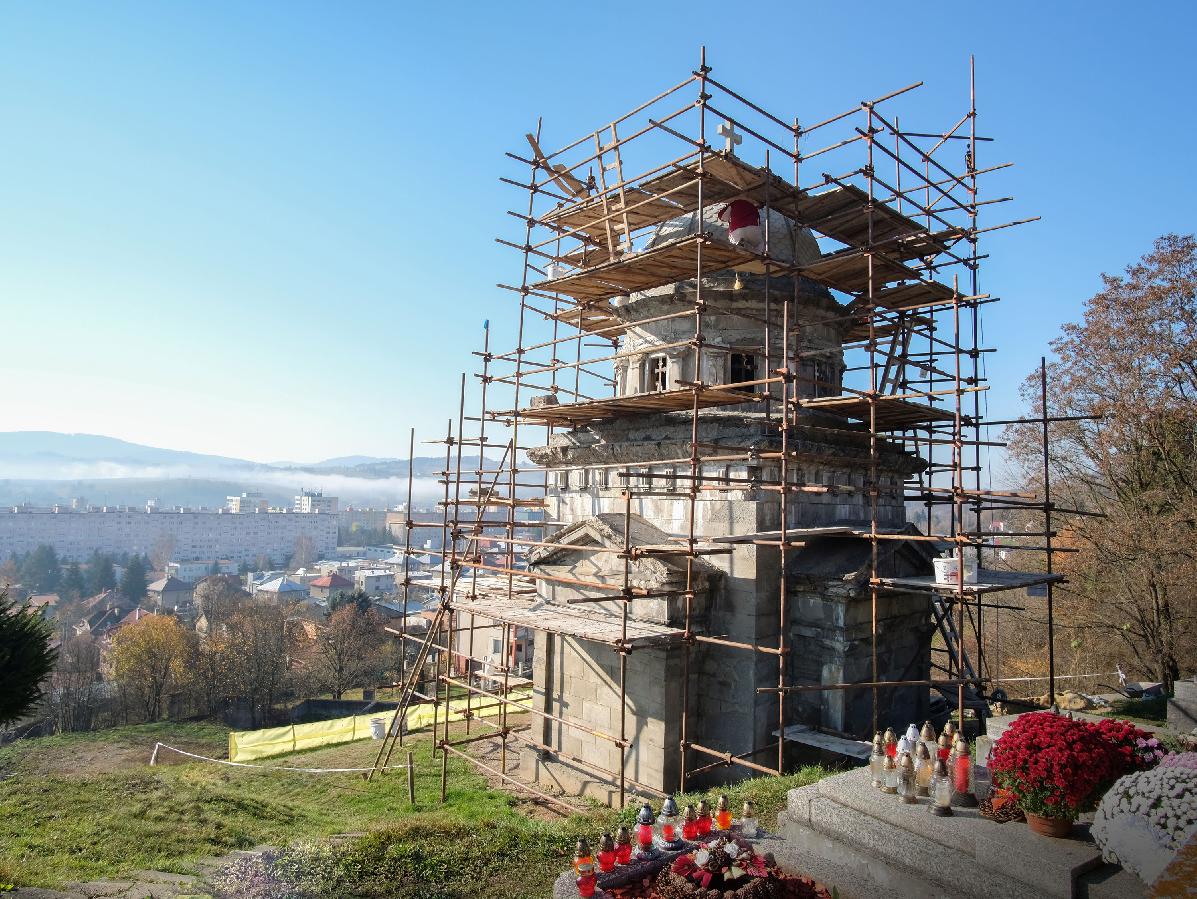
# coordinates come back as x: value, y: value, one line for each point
x: 266, y: 230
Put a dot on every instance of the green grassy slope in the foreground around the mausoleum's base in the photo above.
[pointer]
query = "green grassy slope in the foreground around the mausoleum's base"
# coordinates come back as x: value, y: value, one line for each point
x: 88, y: 806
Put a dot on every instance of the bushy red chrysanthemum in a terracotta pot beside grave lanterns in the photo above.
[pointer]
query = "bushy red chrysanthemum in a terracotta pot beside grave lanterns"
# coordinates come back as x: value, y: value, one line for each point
x: 1055, y: 767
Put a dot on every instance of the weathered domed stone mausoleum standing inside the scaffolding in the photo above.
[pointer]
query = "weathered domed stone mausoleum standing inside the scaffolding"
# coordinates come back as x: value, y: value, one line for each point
x: 829, y: 612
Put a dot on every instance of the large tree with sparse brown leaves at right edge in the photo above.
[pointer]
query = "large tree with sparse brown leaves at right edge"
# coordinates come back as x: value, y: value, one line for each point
x: 1133, y: 363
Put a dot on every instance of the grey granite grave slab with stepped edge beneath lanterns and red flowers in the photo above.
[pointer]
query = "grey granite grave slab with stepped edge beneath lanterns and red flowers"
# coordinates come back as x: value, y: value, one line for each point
x: 871, y: 846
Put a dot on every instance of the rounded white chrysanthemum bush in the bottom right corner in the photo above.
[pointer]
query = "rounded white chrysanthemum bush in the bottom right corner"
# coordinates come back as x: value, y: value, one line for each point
x: 1145, y: 819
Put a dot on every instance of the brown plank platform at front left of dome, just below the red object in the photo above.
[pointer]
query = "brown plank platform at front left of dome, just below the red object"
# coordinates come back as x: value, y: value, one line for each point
x: 655, y: 268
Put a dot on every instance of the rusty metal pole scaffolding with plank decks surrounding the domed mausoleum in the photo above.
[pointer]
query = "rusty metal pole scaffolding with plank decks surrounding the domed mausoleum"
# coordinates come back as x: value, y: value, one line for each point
x: 898, y: 235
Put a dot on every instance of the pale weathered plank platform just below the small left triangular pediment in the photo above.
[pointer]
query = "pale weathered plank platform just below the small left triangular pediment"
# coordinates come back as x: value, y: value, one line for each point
x: 585, y: 623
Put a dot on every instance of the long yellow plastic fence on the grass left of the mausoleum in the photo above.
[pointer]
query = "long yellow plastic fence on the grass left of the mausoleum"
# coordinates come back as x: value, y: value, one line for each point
x: 250, y: 745
